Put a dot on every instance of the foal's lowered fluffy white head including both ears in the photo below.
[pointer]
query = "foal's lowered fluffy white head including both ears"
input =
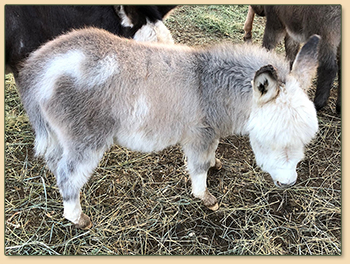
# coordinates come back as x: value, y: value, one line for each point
x: 283, y: 119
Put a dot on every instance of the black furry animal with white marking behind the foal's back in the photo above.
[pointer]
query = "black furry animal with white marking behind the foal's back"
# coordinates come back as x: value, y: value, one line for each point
x: 27, y: 27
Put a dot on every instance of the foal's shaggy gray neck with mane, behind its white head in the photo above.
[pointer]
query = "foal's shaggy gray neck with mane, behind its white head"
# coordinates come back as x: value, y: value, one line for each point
x: 225, y: 73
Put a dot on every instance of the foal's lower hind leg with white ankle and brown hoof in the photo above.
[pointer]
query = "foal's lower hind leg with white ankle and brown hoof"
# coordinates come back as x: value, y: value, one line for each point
x: 73, y: 171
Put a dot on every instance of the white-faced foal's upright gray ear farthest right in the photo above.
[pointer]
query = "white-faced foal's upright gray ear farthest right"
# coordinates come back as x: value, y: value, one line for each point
x: 305, y: 65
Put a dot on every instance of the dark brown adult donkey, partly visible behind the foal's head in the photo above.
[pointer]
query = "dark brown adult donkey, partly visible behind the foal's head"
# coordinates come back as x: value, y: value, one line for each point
x: 296, y: 23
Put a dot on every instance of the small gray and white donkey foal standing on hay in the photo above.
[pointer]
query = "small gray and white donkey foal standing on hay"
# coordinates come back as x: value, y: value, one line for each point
x: 89, y: 89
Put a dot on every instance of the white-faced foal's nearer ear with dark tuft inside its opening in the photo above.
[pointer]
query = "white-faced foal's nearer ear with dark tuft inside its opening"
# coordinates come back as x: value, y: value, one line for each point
x: 265, y: 84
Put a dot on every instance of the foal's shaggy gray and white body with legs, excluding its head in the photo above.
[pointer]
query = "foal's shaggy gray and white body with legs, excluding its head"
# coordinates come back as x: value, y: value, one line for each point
x: 89, y: 89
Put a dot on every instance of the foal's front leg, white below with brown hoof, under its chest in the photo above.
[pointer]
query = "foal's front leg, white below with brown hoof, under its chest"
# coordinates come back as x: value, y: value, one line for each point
x: 199, y: 160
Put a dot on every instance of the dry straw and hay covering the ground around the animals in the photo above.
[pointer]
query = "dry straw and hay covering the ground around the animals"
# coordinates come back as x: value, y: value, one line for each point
x: 141, y: 204
